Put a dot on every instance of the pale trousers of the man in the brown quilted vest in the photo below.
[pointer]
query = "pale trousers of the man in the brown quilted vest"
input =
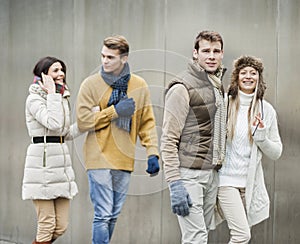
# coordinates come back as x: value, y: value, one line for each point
x: 202, y: 186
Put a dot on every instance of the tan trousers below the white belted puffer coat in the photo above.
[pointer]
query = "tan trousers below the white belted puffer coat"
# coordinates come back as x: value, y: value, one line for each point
x: 52, y: 217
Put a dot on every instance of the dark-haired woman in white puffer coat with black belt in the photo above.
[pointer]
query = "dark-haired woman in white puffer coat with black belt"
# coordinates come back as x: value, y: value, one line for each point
x: 49, y: 178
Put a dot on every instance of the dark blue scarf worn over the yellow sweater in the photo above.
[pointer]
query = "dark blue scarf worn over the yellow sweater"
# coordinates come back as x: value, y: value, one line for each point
x: 119, y: 84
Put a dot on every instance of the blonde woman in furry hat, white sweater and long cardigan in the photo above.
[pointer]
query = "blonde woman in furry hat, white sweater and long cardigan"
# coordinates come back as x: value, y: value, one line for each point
x: 252, y: 132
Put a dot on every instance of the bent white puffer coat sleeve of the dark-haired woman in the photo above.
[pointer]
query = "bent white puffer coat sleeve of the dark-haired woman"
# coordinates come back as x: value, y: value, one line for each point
x: 47, y: 112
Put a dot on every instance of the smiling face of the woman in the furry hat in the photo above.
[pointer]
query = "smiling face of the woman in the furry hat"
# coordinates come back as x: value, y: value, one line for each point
x: 248, y: 77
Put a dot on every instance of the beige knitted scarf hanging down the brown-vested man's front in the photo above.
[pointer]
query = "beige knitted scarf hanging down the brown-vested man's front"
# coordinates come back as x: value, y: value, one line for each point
x: 219, y: 121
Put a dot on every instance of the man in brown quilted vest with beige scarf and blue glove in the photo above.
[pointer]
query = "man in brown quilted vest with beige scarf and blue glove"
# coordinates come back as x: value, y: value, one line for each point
x: 193, y: 137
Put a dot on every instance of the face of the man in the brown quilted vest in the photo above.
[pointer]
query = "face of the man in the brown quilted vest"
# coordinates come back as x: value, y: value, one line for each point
x: 209, y: 55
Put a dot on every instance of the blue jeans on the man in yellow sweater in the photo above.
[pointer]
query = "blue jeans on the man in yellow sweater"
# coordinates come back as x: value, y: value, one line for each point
x: 108, y: 189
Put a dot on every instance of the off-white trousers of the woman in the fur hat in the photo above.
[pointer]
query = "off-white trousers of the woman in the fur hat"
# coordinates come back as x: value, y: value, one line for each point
x: 232, y: 202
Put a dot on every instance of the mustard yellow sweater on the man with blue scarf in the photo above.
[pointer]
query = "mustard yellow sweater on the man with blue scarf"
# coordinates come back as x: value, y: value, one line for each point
x: 106, y: 145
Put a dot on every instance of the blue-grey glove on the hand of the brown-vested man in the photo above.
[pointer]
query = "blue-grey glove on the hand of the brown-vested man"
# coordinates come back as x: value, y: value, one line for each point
x: 180, y: 199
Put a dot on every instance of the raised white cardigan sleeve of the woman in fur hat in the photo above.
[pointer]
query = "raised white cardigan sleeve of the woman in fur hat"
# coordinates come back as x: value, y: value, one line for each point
x: 268, y: 138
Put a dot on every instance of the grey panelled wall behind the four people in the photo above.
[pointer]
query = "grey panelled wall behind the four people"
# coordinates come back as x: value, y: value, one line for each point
x: 161, y: 34
